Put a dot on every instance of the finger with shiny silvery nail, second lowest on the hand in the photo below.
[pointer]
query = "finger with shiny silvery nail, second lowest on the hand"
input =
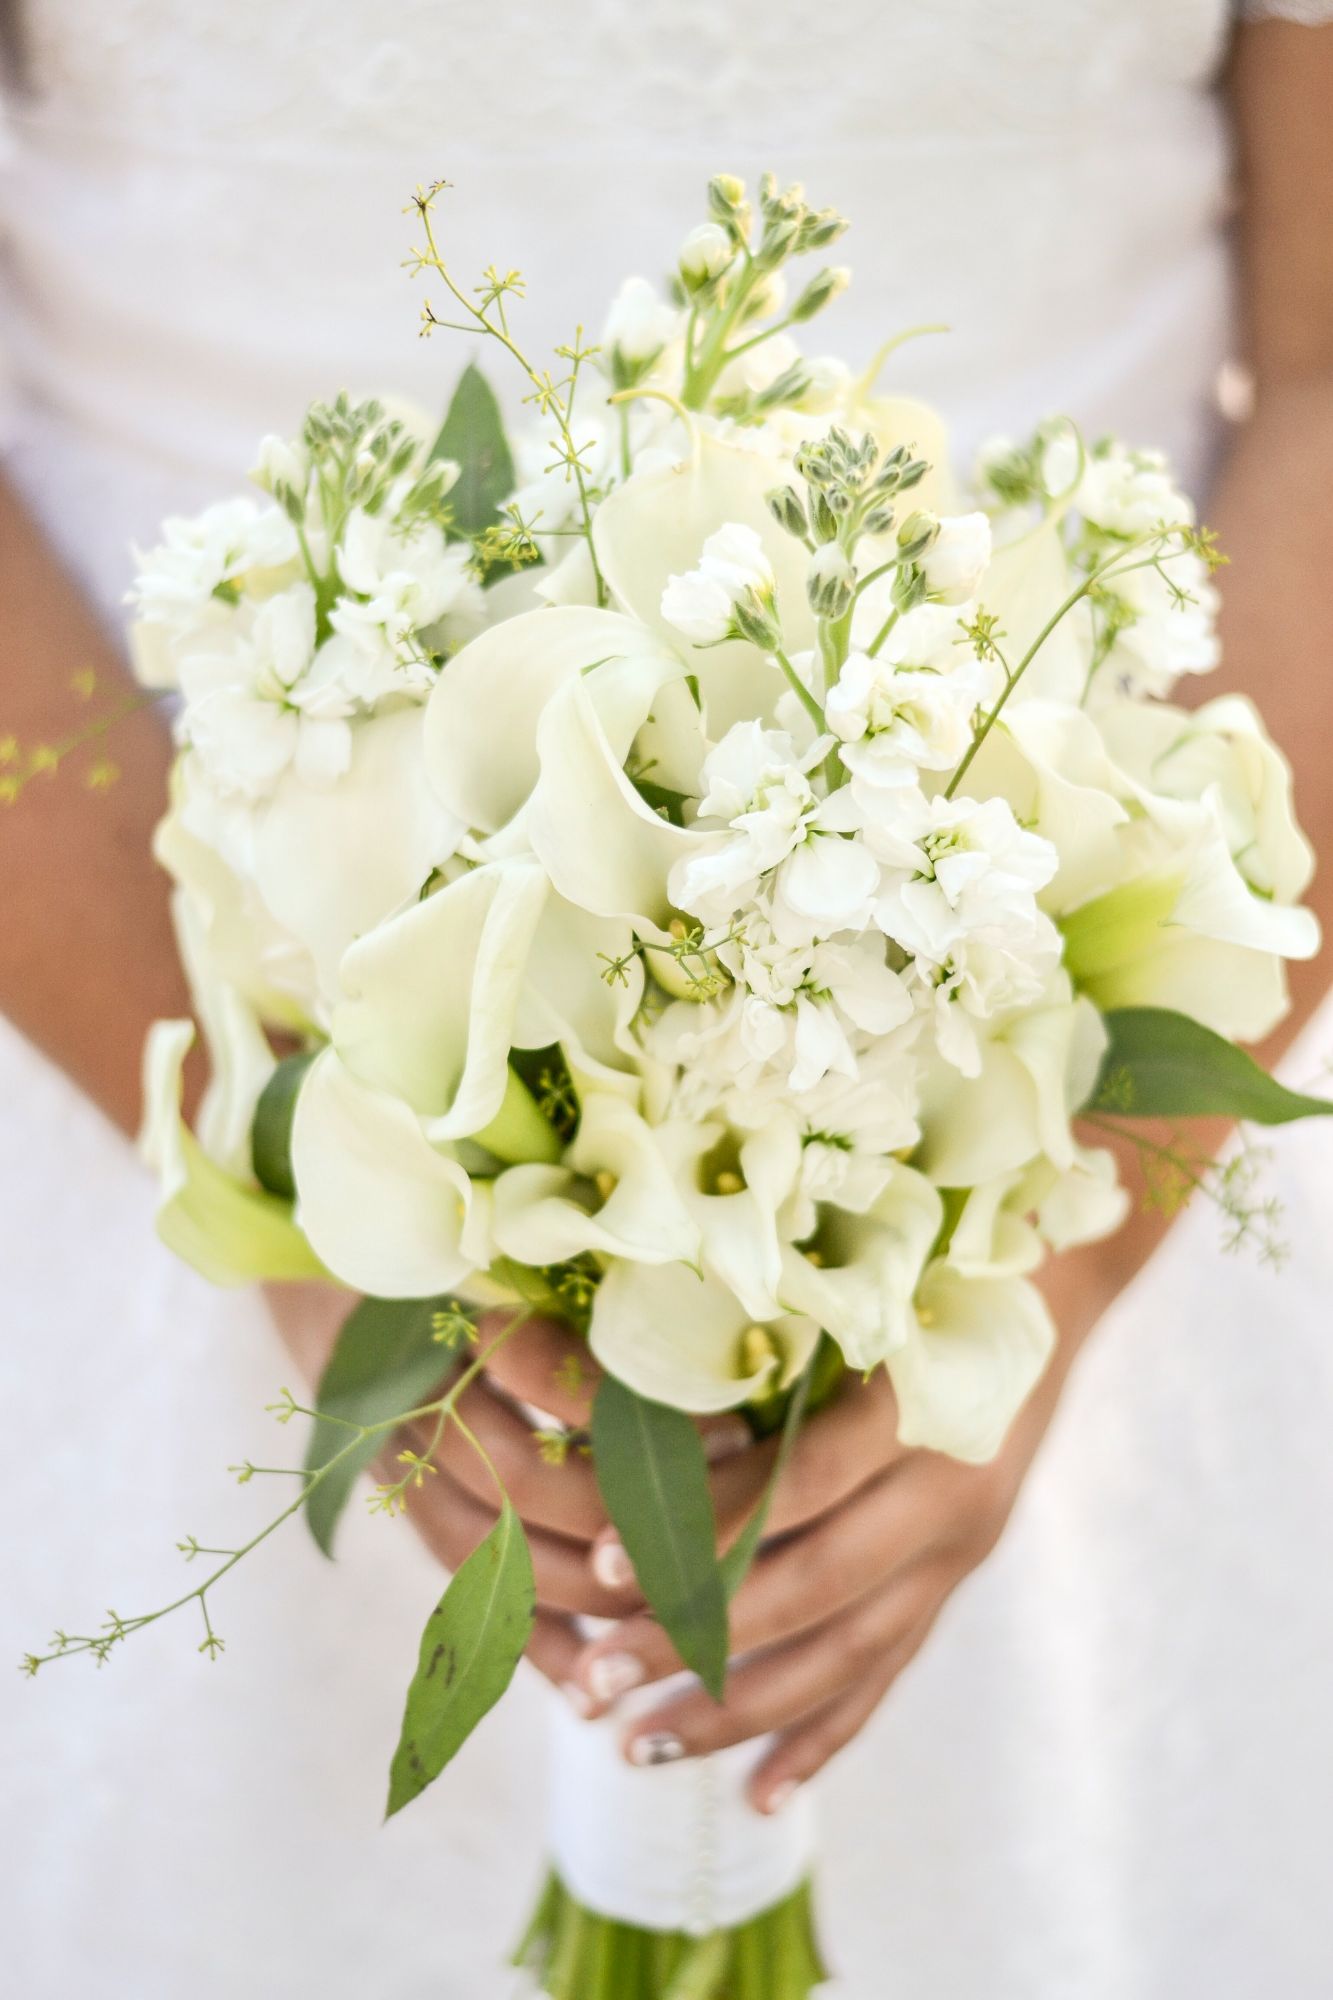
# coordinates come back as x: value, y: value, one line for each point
x: 778, y: 1689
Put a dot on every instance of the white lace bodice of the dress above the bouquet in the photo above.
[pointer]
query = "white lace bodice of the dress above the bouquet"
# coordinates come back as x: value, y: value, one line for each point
x: 203, y: 205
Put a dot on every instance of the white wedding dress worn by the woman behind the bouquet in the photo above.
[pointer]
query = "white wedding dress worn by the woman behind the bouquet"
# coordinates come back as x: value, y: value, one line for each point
x: 1110, y: 1777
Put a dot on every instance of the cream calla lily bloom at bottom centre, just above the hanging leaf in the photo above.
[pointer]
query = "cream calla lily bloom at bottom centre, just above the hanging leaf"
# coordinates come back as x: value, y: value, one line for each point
x: 688, y: 1341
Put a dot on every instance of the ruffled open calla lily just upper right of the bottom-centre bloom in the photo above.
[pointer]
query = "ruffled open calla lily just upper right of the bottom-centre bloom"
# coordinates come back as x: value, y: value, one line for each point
x: 860, y: 1279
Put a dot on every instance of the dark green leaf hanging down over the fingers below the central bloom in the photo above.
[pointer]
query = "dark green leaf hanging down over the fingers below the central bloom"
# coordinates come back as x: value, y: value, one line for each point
x: 653, y: 1479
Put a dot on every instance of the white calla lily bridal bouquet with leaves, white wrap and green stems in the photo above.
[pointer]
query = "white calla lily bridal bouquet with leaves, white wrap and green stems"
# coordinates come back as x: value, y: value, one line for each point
x: 688, y: 873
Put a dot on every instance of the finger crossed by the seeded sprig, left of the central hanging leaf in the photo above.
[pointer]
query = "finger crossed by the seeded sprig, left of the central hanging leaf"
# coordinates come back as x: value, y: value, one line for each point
x: 547, y: 1493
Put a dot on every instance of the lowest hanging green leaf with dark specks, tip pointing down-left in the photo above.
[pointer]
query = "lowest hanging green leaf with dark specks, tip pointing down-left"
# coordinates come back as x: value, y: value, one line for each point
x: 469, y: 1651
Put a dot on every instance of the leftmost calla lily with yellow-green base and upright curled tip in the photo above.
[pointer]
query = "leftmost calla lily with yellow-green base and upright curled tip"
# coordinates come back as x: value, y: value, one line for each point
x: 227, y: 1231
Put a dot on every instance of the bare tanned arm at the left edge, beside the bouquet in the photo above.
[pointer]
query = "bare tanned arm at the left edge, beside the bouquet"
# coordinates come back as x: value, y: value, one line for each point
x: 87, y: 951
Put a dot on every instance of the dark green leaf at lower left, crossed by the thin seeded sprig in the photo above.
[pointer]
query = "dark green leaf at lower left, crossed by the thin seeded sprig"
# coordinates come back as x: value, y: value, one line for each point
x: 385, y: 1361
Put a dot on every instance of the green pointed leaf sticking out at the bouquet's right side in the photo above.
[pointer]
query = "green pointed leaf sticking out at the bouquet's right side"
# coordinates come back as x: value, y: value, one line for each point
x: 1164, y: 1065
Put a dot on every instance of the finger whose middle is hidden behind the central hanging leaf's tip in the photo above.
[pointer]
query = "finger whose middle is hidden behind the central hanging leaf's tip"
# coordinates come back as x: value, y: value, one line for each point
x: 802, y: 1583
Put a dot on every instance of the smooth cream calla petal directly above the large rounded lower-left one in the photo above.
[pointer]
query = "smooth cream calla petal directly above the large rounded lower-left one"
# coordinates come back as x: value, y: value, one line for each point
x: 431, y: 997
